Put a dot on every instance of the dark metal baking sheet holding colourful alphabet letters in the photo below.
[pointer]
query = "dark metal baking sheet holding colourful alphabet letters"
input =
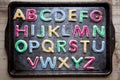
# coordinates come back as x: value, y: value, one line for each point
x: 18, y: 65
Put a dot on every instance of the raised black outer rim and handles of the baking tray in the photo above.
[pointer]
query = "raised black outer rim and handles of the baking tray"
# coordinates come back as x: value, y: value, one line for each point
x: 112, y: 41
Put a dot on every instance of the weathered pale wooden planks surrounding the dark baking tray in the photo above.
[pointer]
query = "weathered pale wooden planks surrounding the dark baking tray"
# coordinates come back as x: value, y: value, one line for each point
x: 116, y: 56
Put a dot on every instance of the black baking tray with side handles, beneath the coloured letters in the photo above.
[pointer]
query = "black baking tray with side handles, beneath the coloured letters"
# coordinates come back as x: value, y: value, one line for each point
x: 17, y: 63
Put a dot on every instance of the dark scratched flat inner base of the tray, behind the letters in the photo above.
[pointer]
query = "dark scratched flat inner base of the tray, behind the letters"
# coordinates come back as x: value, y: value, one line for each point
x: 100, y: 62
